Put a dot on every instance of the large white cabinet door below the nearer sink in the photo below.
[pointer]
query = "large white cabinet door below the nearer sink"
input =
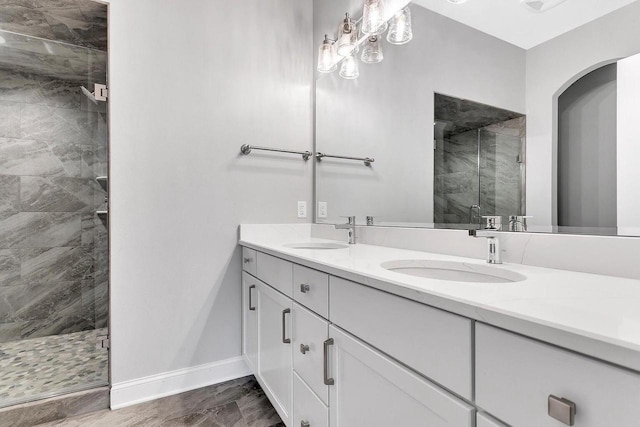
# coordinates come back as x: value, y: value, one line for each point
x: 371, y: 390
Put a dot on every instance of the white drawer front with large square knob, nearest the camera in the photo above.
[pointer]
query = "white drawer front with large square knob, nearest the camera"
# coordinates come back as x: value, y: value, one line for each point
x: 515, y: 377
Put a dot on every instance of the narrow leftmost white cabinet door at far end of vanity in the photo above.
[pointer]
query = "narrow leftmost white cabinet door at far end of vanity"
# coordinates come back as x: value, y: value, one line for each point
x: 250, y: 321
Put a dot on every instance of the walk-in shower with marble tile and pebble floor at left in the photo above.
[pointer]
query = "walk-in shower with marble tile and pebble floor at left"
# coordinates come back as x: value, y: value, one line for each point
x: 53, y: 244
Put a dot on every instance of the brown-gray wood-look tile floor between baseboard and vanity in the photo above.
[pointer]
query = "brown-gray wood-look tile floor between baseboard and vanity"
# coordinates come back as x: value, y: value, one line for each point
x: 237, y: 403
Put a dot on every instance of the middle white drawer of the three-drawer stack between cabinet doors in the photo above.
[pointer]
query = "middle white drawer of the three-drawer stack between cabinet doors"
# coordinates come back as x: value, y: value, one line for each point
x: 310, y: 331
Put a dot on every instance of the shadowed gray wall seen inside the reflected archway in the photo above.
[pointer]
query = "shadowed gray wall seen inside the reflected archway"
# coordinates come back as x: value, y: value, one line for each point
x: 587, y: 136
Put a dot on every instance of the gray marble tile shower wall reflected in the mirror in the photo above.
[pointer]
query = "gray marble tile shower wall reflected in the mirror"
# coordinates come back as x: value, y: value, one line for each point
x: 498, y: 189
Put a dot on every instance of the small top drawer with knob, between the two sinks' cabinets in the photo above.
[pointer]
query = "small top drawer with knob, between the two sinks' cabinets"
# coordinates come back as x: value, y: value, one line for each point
x: 311, y: 289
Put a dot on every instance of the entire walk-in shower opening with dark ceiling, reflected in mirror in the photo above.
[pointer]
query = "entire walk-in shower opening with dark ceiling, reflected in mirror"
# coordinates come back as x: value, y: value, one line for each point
x: 479, y: 167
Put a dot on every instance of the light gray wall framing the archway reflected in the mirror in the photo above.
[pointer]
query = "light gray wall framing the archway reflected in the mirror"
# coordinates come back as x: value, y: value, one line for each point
x: 551, y: 68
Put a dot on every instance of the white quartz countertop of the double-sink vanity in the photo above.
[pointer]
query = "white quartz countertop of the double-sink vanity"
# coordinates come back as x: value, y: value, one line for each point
x: 591, y: 314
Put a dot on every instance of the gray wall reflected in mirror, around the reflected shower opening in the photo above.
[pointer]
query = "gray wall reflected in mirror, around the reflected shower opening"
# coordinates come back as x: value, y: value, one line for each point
x: 390, y: 110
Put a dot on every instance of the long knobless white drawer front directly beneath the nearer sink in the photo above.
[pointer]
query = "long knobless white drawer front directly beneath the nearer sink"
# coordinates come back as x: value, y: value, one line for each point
x: 433, y: 342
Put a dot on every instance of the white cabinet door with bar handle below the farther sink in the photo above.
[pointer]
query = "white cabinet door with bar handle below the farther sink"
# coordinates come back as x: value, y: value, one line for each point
x: 275, y: 366
